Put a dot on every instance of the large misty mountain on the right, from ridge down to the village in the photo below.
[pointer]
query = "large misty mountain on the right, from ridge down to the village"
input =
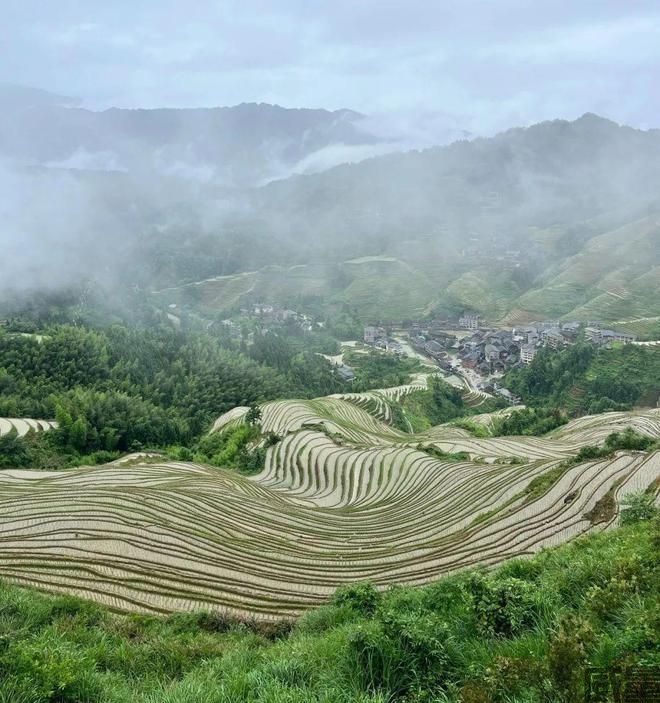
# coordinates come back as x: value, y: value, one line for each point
x: 555, y: 221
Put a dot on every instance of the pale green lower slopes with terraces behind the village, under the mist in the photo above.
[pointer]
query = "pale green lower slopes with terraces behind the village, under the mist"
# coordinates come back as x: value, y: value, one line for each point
x: 613, y: 276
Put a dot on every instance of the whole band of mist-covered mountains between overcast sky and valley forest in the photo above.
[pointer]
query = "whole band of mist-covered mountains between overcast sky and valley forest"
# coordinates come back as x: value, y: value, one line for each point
x: 166, y: 198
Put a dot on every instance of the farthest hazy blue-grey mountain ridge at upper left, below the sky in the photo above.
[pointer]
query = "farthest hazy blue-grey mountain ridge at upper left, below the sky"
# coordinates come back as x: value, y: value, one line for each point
x: 239, y: 146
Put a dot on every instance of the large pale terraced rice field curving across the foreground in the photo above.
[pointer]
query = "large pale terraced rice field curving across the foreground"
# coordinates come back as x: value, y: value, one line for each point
x: 356, y: 500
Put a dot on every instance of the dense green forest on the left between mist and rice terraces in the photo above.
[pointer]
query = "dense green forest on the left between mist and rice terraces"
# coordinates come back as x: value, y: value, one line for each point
x: 120, y: 388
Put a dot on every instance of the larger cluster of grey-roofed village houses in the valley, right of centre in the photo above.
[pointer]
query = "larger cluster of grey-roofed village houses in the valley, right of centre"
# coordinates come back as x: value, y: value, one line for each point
x: 490, y: 351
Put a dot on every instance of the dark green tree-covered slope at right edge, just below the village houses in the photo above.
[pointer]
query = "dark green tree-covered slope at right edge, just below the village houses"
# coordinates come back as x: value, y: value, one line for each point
x: 586, y: 379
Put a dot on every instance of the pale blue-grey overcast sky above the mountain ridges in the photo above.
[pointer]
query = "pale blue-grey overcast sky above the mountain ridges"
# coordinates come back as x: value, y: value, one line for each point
x: 480, y: 66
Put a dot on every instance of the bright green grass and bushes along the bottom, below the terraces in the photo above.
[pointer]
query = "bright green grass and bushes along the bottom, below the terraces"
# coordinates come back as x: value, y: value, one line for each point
x: 524, y: 632
